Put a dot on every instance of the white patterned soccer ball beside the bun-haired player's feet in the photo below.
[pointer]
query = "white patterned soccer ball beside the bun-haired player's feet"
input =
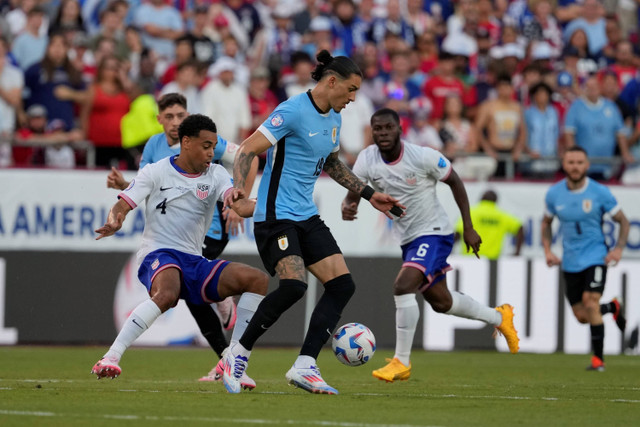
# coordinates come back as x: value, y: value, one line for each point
x: 353, y: 344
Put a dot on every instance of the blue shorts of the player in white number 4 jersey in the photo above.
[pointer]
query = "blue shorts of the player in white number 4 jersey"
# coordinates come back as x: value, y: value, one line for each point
x: 199, y: 275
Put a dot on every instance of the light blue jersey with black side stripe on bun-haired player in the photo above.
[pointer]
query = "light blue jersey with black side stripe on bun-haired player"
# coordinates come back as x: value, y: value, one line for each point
x: 302, y: 137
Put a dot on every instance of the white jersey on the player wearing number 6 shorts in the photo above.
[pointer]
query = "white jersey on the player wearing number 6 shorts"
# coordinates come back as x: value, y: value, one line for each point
x: 412, y: 180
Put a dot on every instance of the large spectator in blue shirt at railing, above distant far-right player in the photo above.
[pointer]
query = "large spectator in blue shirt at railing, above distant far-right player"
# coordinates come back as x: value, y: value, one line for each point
x: 595, y: 124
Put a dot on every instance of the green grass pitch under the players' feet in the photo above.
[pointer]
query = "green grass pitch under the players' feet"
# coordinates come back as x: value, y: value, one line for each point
x: 51, y: 386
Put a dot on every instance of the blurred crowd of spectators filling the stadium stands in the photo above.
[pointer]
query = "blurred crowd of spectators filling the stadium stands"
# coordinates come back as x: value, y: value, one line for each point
x: 502, y: 87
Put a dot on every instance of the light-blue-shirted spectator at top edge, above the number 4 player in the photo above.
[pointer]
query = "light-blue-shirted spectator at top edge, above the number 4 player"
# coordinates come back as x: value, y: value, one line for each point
x: 160, y: 25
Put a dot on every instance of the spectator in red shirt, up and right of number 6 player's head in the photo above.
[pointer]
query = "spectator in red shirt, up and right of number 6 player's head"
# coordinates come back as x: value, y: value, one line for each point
x: 445, y: 84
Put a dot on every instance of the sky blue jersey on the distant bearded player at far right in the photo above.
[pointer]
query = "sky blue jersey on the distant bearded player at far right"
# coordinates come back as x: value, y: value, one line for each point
x: 580, y: 213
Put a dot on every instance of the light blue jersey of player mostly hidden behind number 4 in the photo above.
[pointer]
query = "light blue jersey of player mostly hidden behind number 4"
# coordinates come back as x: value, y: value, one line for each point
x: 157, y: 148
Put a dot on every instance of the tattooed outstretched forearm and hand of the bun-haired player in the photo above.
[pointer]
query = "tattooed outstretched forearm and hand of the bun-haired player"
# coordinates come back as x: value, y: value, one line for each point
x: 343, y: 176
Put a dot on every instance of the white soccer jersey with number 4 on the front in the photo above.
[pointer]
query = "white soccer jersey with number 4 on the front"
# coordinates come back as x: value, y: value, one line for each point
x: 179, y: 206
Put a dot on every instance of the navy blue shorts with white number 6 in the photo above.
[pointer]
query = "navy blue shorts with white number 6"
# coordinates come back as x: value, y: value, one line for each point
x: 429, y: 254
